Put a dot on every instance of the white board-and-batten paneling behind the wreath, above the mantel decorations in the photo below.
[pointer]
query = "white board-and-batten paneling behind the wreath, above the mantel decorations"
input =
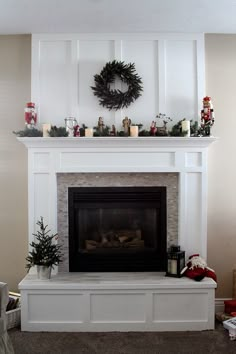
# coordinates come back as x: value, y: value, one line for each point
x: 171, y: 67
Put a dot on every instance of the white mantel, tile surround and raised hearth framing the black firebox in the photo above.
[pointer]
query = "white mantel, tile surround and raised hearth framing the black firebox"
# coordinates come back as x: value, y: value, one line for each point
x: 119, y: 301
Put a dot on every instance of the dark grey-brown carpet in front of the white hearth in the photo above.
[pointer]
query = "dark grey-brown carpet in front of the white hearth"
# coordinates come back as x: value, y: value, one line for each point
x: 205, y: 342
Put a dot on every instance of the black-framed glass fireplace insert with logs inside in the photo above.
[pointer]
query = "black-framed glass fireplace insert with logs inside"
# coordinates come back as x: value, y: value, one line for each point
x: 117, y: 229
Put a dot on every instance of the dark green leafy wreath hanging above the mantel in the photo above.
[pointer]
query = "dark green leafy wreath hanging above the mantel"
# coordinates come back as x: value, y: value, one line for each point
x: 116, y: 99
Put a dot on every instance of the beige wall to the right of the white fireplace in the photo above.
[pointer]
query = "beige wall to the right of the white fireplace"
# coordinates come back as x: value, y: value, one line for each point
x: 221, y: 86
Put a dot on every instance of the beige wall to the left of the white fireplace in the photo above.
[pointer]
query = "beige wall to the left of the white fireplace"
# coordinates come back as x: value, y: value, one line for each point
x: 14, y: 93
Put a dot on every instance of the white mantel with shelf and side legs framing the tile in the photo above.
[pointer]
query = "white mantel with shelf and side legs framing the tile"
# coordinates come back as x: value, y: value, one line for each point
x: 185, y: 156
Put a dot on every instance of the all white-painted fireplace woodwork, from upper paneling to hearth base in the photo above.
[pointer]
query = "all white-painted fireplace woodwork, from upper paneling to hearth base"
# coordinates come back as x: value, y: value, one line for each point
x: 172, y: 70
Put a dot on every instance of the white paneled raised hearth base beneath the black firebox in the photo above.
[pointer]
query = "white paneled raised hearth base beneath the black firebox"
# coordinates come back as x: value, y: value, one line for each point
x: 98, y: 302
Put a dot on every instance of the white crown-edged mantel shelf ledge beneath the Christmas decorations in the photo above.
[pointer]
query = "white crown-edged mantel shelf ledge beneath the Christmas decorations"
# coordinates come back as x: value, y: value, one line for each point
x: 117, y: 142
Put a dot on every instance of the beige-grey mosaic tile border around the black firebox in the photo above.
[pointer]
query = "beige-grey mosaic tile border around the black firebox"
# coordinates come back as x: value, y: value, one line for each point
x: 66, y: 180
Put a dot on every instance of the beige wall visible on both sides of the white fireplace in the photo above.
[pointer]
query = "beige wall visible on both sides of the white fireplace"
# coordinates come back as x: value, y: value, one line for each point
x: 15, y: 92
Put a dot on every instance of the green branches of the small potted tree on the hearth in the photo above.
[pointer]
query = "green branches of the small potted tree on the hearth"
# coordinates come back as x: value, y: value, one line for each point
x: 44, y: 251
